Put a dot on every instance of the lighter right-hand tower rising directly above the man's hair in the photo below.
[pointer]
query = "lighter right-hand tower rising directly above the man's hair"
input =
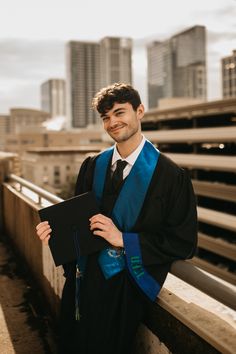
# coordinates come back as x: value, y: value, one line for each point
x: 116, y: 60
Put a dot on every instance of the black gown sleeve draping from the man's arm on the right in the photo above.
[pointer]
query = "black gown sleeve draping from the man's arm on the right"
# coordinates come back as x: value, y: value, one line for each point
x: 176, y: 235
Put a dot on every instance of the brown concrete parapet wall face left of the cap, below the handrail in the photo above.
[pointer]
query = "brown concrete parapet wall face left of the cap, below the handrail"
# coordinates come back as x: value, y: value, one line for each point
x: 20, y: 219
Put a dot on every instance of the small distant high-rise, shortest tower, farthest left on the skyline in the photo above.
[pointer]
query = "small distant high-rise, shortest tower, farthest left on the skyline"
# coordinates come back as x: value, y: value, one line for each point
x: 53, y: 97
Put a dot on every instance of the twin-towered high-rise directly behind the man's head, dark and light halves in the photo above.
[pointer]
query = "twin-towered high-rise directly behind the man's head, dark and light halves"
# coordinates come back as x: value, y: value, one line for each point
x: 90, y: 66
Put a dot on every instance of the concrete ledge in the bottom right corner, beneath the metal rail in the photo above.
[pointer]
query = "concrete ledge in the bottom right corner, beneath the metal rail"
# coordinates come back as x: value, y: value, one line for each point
x: 185, y: 328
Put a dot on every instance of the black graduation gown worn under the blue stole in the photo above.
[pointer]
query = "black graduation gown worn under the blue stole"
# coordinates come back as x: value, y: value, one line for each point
x: 112, y: 309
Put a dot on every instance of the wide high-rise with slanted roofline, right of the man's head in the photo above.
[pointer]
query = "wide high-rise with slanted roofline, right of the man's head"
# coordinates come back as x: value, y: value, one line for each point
x: 177, y: 66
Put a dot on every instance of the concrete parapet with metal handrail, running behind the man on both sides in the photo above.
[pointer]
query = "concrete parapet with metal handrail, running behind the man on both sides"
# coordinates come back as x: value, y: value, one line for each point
x: 171, y: 318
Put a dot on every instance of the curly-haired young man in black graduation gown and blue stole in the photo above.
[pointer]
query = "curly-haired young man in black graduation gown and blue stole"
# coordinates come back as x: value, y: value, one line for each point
x: 149, y: 219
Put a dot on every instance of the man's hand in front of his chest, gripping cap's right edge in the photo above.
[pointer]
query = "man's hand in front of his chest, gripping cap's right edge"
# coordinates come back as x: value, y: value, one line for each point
x: 103, y: 226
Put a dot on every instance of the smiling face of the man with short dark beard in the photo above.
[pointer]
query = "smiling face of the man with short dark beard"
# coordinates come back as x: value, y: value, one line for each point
x: 122, y: 122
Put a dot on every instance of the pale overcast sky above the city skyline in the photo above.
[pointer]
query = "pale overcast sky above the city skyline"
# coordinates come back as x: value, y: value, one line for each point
x: 33, y: 36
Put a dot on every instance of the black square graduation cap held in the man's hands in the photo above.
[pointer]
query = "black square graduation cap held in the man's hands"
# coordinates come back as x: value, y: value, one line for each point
x: 71, y: 236
